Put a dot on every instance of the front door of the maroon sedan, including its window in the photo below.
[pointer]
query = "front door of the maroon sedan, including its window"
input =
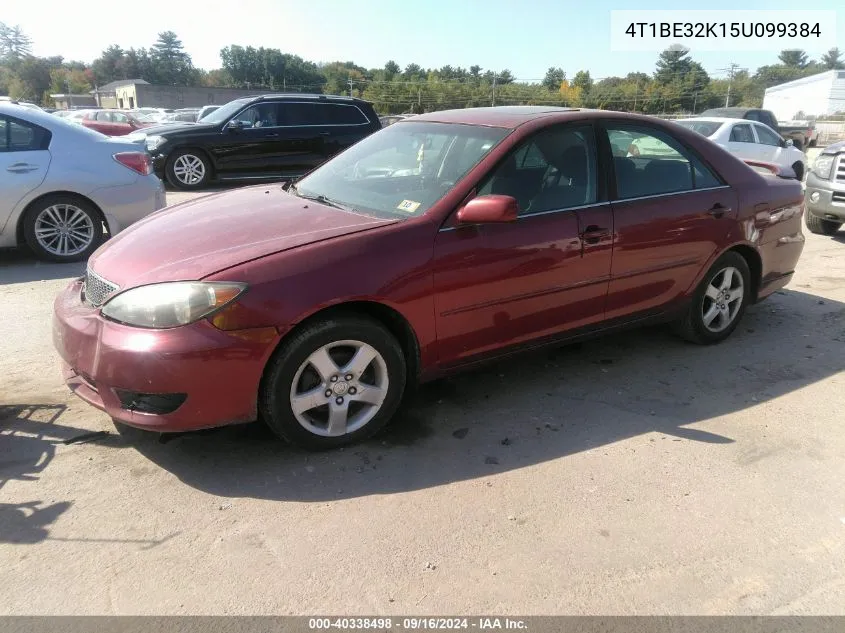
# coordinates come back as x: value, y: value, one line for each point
x: 500, y: 285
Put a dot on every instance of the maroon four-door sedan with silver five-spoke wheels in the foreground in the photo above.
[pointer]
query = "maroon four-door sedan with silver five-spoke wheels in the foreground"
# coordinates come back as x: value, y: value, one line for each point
x: 434, y: 244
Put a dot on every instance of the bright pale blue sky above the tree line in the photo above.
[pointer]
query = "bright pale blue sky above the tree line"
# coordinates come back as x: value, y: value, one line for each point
x: 525, y: 36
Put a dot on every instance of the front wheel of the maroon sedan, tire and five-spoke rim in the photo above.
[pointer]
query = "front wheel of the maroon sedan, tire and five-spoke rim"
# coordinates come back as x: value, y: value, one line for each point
x: 330, y: 399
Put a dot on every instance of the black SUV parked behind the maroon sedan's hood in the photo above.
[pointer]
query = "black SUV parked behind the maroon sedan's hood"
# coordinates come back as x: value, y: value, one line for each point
x: 271, y: 137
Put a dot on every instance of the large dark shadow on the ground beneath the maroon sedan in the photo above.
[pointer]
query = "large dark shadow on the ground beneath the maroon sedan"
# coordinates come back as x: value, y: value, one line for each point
x: 531, y: 409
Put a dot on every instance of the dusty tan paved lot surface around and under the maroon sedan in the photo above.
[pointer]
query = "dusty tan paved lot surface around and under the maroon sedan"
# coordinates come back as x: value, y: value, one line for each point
x: 635, y: 474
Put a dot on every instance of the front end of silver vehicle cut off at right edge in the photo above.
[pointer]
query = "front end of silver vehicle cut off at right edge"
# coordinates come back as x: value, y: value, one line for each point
x: 825, y: 191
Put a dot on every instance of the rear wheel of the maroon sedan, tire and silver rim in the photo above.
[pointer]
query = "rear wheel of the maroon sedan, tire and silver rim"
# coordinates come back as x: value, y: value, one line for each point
x: 693, y: 326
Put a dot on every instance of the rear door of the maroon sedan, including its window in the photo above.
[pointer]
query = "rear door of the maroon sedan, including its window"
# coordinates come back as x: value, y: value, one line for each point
x: 670, y: 213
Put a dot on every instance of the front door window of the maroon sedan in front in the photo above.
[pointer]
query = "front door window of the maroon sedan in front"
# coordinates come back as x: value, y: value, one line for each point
x: 555, y: 169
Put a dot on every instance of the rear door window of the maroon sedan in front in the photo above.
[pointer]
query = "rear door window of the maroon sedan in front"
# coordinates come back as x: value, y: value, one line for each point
x: 655, y: 163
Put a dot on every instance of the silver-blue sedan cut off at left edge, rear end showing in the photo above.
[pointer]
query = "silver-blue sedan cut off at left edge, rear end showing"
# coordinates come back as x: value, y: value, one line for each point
x: 63, y: 184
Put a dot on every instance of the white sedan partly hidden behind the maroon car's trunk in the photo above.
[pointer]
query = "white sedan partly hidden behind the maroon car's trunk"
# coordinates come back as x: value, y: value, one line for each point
x: 750, y: 140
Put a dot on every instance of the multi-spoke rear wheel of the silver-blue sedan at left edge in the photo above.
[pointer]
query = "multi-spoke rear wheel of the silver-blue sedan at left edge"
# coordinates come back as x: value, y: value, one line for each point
x: 63, y: 228
